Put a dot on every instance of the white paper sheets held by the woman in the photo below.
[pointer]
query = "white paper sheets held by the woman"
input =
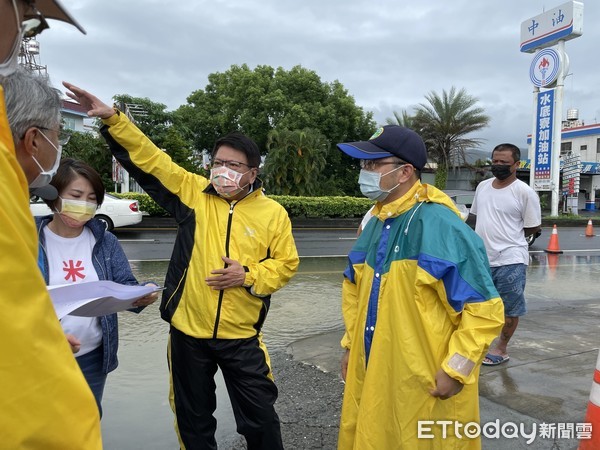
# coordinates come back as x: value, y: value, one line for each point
x: 95, y: 298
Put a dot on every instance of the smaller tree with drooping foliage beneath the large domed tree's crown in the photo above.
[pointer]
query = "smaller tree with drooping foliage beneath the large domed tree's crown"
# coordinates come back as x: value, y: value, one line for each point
x: 295, y: 162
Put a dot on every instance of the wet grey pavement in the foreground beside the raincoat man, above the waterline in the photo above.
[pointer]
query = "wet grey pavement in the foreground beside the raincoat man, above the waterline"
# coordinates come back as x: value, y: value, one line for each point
x: 547, y: 380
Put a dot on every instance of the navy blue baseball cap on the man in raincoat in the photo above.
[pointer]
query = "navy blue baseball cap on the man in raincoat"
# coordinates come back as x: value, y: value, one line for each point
x: 390, y: 140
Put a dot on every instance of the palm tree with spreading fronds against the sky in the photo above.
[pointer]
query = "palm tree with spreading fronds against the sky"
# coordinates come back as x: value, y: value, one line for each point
x: 444, y: 123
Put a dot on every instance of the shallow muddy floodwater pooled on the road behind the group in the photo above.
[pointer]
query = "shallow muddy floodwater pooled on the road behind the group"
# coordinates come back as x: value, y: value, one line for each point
x: 137, y: 414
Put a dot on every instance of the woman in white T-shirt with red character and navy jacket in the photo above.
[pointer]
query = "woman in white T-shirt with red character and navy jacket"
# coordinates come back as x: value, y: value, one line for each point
x: 75, y: 248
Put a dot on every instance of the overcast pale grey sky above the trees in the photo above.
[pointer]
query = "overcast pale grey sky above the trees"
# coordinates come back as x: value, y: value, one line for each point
x: 387, y: 53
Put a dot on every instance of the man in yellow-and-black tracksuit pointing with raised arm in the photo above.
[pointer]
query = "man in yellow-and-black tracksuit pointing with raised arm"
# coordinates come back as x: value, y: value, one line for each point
x: 234, y: 249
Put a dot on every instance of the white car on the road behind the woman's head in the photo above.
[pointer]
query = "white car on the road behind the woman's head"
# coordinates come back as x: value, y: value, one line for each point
x: 114, y: 212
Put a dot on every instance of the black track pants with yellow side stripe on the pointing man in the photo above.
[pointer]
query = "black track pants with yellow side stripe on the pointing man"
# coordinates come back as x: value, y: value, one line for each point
x: 247, y: 375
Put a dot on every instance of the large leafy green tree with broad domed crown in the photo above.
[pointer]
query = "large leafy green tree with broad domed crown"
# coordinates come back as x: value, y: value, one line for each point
x: 256, y: 101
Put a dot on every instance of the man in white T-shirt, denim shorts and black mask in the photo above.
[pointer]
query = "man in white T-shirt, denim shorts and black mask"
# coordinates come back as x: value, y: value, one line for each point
x: 507, y: 210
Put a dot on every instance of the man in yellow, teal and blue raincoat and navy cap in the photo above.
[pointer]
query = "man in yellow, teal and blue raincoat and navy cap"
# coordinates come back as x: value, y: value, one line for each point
x: 419, y: 307
